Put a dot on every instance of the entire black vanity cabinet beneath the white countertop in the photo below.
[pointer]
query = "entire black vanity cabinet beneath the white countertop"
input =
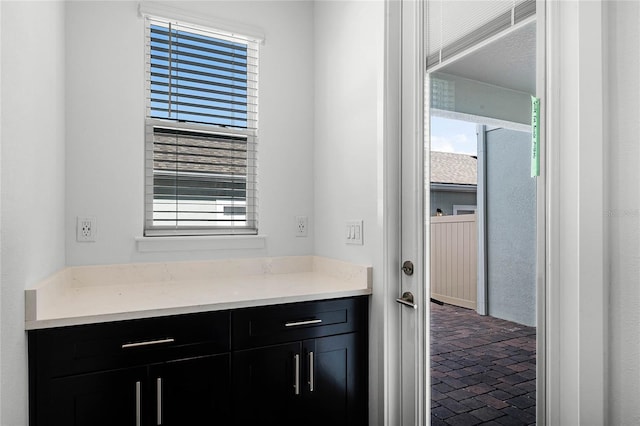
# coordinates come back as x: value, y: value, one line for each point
x: 299, y: 363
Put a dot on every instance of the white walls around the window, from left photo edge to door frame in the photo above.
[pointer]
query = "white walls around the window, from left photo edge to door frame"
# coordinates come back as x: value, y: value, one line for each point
x: 320, y: 144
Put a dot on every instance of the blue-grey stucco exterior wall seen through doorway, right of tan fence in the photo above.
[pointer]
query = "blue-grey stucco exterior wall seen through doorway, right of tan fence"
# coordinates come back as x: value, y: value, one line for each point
x: 511, y: 227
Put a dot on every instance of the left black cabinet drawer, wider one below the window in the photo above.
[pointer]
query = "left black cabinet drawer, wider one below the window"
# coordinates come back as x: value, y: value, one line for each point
x: 85, y: 348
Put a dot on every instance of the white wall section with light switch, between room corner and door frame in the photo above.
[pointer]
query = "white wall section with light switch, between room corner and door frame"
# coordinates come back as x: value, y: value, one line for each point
x: 349, y: 56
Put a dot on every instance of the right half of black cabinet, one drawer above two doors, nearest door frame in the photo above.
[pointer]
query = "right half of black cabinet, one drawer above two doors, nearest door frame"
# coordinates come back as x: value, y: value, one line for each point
x: 314, y: 377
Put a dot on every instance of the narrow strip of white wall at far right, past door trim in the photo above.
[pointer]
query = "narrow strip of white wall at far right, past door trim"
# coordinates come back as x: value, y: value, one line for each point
x: 622, y: 213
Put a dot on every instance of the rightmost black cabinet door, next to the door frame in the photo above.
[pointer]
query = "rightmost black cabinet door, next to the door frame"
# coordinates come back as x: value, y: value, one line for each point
x: 335, y: 375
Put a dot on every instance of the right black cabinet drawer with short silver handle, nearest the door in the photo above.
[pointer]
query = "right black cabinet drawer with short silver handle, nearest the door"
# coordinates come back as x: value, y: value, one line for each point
x: 261, y: 326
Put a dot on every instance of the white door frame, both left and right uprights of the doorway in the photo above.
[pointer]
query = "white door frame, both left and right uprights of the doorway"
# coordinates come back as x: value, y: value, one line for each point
x: 572, y: 349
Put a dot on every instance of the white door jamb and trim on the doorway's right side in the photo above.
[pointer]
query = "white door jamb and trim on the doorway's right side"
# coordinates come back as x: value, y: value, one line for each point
x: 573, y: 130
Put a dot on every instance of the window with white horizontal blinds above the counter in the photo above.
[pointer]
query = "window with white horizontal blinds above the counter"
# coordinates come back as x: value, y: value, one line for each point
x: 201, y: 131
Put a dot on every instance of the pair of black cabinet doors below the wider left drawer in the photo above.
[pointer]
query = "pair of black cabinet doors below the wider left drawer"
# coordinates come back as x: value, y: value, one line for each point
x: 192, y: 391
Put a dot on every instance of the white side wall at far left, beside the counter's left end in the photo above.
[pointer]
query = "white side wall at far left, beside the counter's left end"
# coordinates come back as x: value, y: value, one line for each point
x: 32, y: 192
